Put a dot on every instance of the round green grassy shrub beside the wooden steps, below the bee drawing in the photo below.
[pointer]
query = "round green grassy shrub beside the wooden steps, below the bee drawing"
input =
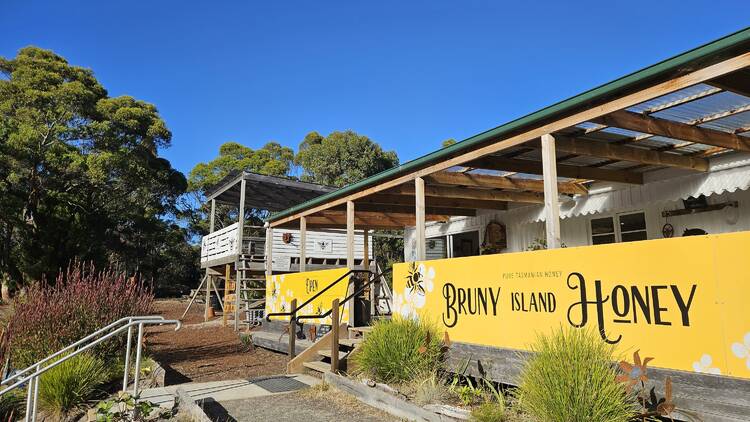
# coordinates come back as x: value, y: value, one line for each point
x: 398, y: 348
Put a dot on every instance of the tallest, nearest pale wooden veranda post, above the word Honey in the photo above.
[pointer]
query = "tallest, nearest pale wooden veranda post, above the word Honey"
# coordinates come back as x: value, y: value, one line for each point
x: 551, y: 202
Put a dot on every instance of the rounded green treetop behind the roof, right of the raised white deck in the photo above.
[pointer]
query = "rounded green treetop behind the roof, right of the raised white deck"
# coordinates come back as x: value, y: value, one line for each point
x: 341, y: 158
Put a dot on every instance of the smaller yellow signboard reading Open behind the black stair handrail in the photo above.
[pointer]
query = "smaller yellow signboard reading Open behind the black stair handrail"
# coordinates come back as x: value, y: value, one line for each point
x: 282, y: 288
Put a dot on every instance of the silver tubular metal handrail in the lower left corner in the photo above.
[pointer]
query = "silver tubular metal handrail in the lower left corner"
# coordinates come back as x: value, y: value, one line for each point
x: 33, y: 379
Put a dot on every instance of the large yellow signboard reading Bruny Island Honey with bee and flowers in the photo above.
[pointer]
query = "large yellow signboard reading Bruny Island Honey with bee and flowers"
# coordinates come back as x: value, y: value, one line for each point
x: 683, y: 301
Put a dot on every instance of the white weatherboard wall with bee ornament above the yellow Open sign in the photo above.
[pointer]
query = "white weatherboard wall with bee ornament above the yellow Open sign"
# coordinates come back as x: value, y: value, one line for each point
x: 337, y: 239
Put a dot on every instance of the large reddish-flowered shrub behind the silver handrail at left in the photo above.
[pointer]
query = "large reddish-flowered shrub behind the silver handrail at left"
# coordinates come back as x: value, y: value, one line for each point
x: 81, y: 301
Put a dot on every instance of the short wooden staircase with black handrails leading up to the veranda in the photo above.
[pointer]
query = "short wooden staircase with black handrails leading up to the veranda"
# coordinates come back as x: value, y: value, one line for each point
x: 317, y: 358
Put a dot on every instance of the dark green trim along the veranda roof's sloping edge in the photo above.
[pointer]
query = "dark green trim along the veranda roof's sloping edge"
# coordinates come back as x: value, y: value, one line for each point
x: 618, y: 86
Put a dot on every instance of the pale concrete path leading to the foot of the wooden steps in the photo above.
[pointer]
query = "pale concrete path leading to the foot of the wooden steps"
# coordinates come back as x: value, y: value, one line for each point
x: 223, y: 391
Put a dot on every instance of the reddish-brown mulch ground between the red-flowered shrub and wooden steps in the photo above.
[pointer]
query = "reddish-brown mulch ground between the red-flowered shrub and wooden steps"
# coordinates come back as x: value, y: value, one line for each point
x: 207, y: 353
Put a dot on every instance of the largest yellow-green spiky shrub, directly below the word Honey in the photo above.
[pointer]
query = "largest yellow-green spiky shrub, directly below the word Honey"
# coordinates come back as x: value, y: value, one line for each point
x: 571, y: 377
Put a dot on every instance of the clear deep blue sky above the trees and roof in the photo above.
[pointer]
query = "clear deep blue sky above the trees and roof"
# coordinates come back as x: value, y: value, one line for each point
x: 406, y: 74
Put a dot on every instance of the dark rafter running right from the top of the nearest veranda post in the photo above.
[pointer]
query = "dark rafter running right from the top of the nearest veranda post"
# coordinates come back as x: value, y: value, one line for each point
x: 612, y: 151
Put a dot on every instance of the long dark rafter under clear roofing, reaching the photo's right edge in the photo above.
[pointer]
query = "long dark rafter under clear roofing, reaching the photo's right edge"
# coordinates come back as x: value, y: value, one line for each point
x: 675, y: 130
